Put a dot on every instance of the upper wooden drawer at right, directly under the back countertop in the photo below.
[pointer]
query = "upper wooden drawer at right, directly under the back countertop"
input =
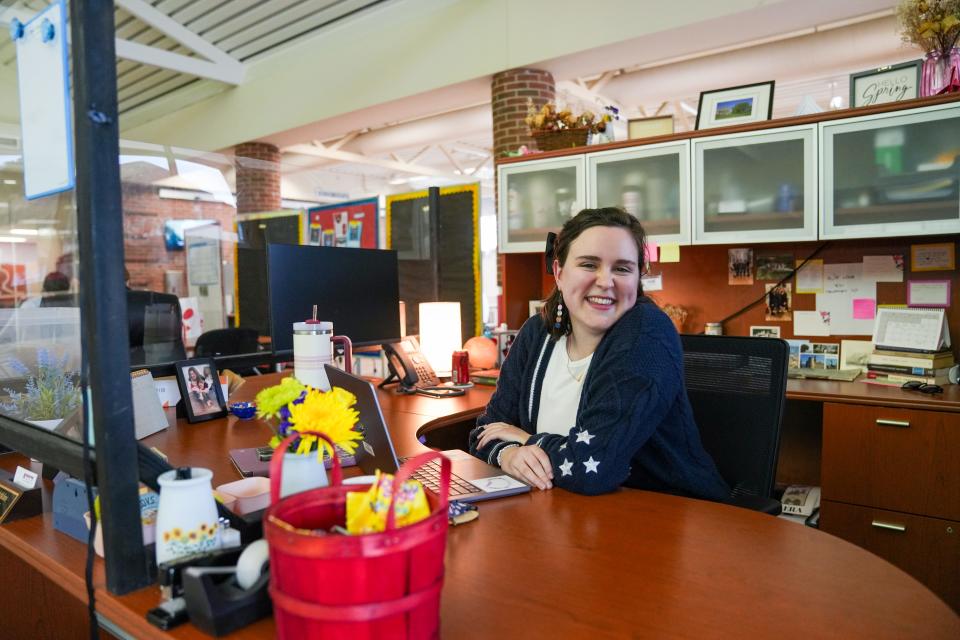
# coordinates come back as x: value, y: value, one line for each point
x: 899, y: 459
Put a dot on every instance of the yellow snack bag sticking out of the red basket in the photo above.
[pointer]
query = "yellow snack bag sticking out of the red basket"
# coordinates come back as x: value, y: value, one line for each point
x: 367, y: 510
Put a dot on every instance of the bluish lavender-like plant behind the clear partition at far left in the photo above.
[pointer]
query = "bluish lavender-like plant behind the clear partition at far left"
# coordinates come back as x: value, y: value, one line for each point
x: 51, y: 393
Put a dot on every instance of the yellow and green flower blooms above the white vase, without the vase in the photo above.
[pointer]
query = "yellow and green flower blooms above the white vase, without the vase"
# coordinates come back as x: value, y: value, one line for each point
x: 300, y: 408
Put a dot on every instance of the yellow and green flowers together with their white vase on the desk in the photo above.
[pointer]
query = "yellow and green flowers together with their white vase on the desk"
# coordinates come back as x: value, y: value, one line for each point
x: 298, y: 408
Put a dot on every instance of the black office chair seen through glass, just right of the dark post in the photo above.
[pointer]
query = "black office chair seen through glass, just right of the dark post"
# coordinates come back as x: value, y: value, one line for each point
x: 156, y: 327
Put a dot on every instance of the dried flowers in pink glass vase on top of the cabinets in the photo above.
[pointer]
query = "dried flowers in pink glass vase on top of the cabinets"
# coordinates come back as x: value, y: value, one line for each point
x: 934, y: 26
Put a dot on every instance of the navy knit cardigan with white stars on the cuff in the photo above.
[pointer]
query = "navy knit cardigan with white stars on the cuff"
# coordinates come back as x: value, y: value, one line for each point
x: 634, y: 423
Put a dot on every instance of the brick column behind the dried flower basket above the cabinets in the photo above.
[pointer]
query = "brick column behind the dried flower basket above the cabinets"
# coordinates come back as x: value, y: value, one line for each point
x: 510, y: 91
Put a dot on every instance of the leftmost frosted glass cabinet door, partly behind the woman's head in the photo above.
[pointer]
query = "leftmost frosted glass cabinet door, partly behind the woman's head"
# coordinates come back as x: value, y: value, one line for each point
x: 535, y: 198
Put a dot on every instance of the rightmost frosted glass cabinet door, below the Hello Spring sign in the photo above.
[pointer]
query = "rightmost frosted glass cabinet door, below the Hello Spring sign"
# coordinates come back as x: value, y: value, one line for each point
x: 891, y: 174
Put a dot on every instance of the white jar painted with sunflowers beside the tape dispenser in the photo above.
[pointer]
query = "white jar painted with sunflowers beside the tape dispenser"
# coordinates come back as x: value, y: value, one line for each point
x: 187, y: 520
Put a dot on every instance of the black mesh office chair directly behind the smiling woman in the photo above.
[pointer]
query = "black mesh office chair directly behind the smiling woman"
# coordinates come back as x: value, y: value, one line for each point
x: 737, y: 387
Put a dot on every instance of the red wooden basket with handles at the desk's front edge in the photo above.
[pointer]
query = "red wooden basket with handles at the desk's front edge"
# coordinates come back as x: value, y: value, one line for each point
x: 377, y: 585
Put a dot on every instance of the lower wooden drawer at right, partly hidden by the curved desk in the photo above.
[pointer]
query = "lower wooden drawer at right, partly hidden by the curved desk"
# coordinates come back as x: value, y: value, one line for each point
x: 926, y: 548
